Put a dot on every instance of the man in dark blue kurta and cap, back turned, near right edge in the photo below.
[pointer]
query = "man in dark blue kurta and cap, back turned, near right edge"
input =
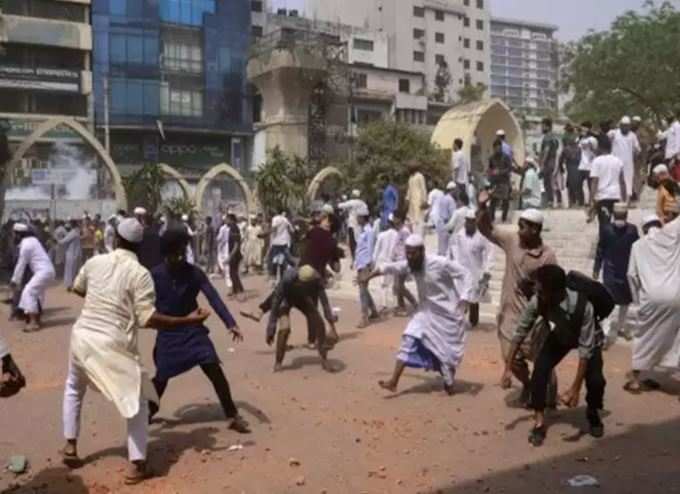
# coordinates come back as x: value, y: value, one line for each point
x: 613, y: 255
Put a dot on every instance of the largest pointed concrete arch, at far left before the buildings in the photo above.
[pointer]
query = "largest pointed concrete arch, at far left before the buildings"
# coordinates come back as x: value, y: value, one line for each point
x: 52, y: 123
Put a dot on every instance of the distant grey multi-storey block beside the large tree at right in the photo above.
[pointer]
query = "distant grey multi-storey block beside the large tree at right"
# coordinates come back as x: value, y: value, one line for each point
x: 525, y: 65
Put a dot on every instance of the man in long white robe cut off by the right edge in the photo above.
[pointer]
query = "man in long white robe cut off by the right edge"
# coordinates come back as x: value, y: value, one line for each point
x: 654, y: 277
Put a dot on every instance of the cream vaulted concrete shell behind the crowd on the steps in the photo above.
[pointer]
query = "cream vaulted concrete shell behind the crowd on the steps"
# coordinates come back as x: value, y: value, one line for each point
x: 478, y: 122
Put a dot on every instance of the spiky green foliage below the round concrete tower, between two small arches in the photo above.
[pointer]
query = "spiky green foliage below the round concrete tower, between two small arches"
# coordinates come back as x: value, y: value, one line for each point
x: 282, y: 182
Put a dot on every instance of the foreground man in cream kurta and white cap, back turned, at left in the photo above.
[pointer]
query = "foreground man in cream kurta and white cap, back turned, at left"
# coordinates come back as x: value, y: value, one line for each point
x: 119, y: 300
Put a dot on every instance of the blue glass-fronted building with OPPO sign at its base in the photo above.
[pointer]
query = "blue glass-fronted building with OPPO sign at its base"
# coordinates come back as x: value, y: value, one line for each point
x: 178, y: 62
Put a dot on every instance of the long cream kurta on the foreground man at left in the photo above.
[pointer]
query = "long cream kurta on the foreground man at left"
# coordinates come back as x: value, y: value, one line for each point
x: 119, y: 300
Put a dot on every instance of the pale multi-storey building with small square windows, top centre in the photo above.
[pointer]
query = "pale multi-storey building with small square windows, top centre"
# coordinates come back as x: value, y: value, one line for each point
x: 424, y: 36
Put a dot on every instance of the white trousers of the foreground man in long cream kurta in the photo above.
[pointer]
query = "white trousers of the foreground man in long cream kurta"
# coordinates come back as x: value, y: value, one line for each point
x: 74, y: 392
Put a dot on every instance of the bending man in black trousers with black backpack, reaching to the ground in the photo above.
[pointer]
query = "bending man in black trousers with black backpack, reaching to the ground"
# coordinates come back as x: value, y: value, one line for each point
x: 575, y: 326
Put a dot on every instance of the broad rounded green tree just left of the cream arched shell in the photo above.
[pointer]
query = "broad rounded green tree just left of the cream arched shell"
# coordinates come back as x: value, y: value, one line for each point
x: 382, y: 152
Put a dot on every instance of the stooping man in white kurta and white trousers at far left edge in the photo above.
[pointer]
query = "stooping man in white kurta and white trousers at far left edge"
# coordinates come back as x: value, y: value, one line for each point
x: 32, y: 255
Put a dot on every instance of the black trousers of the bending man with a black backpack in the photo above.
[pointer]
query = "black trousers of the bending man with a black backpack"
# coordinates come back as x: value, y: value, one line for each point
x: 551, y: 354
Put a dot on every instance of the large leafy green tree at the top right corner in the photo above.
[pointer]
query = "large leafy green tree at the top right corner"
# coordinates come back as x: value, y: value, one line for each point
x: 633, y: 68
